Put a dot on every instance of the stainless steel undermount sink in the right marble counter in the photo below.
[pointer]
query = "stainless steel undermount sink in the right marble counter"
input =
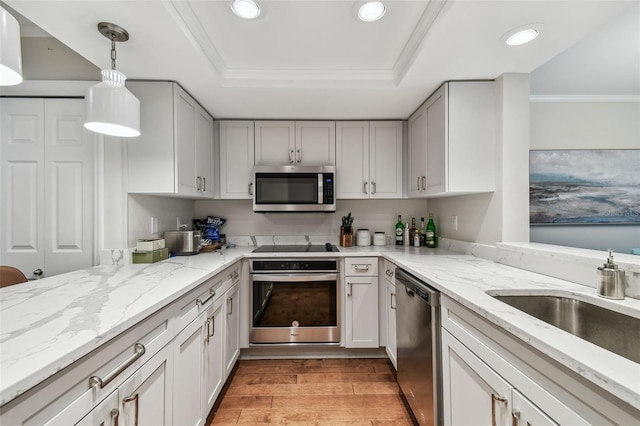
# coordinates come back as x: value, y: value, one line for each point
x: 616, y: 332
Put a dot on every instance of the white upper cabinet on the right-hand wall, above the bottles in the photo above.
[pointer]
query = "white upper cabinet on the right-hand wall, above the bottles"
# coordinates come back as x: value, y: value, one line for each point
x: 452, y: 141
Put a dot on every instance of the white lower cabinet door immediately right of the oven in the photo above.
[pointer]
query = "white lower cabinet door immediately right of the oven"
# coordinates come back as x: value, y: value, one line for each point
x: 361, y: 306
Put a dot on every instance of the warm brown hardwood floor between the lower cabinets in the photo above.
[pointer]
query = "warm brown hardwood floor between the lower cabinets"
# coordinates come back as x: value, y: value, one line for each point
x: 312, y: 392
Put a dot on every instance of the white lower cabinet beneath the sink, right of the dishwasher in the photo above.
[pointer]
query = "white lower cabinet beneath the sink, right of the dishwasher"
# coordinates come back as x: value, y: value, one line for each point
x: 491, y: 377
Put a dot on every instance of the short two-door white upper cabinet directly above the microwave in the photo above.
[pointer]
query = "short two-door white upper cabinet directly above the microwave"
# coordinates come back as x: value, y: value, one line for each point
x: 295, y: 142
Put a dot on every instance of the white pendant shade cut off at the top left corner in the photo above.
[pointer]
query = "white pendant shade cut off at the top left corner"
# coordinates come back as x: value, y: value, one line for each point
x: 10, y: 56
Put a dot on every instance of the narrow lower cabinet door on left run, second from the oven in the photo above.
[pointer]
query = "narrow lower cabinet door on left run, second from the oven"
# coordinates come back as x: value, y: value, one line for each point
x: 213, y: 360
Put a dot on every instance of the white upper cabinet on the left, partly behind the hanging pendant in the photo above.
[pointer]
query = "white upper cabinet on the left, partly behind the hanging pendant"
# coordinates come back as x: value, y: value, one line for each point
x: 174, y: 153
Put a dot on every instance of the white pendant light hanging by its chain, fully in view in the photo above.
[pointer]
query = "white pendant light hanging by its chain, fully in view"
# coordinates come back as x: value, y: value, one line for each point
x: 110, y: 108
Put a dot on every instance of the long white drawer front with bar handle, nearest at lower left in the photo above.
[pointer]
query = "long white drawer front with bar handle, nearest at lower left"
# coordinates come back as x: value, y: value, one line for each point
x: 112, y: 363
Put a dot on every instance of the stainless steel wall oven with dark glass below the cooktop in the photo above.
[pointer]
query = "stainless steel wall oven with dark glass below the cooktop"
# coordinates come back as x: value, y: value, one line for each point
x: 295, y: 301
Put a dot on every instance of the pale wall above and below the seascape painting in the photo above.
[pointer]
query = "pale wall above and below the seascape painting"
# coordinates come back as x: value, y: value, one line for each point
x: 586, y: 125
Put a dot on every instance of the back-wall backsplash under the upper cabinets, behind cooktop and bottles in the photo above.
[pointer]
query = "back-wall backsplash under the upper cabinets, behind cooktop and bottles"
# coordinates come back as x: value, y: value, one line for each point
x: 375, y: 215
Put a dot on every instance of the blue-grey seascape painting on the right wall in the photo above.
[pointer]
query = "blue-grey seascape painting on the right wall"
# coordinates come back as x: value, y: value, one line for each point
x: 584, y: 187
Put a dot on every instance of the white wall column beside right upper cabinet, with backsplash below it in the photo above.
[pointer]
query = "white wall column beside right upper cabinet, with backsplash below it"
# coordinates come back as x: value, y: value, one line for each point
x: 501, y: 215
